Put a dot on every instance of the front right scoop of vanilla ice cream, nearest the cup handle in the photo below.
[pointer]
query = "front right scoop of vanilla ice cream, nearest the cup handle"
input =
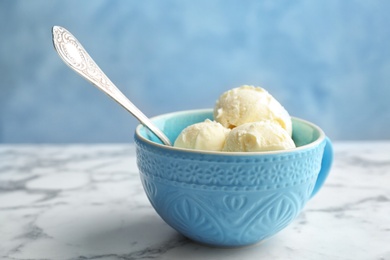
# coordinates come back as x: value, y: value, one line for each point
x: 258, y: 137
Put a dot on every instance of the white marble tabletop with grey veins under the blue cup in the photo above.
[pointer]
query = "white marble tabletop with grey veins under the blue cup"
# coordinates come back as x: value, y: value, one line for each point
x: 87, y: 202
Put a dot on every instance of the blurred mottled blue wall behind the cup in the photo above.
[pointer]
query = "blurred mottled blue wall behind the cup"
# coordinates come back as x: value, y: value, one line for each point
x: 325, y: 61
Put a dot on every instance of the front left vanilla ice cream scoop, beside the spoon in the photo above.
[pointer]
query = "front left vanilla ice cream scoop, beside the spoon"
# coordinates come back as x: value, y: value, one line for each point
x: 207, y: 135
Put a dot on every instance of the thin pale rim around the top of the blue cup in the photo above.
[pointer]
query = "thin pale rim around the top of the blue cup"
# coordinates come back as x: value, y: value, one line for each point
x: 141, y: 138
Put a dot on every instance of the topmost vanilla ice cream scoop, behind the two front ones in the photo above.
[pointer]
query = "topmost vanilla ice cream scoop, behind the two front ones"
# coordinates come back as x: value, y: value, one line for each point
x: 247, y: 104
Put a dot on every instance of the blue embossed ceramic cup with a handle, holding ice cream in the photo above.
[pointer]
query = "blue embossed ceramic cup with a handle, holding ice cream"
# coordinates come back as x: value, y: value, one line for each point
x: 230, y: 199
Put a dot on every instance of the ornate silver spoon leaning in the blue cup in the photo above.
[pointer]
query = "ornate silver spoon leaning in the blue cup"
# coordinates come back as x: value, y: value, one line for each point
x: 76, y: 57
